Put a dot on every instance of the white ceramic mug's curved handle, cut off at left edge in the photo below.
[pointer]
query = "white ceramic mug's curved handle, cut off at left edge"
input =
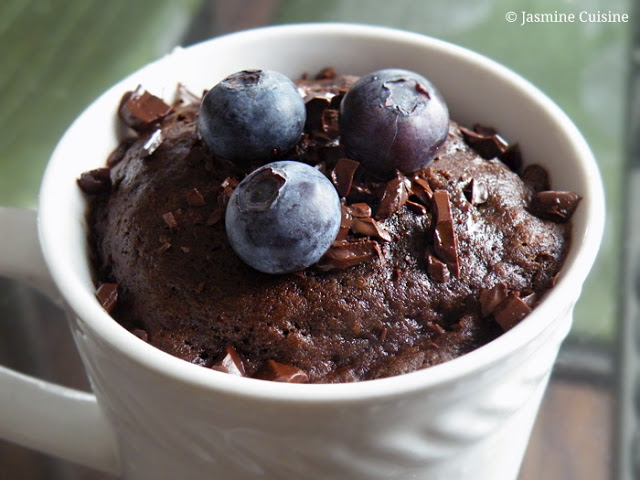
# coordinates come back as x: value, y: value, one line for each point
x: 44, y: 416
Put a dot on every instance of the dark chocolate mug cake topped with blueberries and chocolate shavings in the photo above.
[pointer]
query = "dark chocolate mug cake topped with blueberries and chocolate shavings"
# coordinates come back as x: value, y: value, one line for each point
x: 433, y: 254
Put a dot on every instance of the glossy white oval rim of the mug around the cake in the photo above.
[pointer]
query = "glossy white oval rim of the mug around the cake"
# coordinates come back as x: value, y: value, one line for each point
x: 87, y: 309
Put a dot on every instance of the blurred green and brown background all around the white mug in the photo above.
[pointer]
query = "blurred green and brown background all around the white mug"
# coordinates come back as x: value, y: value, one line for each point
x: 56, y: 56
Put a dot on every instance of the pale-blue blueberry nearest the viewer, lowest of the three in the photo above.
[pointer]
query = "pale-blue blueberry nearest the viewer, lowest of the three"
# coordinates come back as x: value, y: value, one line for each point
x: 283, y: 217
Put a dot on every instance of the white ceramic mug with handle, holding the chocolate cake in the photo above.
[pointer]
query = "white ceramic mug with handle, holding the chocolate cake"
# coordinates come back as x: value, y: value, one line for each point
x: 153, y: 416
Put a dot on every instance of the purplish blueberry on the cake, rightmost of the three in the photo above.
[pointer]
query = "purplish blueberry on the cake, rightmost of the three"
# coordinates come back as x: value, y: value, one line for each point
x: 393, y: 119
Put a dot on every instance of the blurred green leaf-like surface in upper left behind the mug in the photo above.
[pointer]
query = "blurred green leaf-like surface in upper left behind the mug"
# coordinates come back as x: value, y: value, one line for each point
x: 56, y: 57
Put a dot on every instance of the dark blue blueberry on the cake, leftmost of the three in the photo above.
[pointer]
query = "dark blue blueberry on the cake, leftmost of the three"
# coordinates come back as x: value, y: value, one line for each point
x: 251, y: 116
